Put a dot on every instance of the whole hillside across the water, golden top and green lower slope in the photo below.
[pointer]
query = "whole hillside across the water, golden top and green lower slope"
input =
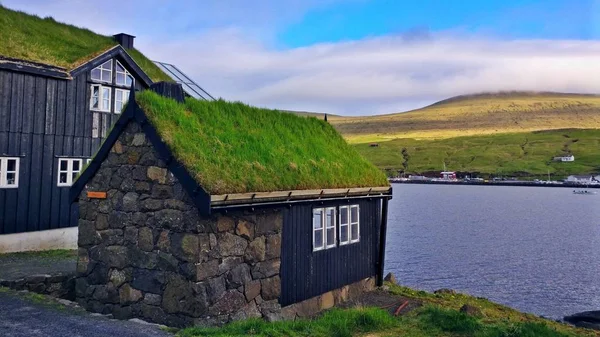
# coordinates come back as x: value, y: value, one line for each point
x: 514, y: 133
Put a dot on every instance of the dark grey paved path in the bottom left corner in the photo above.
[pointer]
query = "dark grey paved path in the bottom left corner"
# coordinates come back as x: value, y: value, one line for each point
x: 29, y: 315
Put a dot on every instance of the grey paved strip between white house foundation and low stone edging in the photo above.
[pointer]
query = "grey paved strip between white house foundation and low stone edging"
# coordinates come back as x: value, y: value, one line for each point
x: 20, y: 265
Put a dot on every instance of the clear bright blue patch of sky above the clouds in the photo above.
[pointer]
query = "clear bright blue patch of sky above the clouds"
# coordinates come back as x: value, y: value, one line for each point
x: 355, y: 20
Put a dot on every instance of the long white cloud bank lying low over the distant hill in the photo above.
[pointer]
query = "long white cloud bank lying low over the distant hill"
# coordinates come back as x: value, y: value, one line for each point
x: 381, y: 75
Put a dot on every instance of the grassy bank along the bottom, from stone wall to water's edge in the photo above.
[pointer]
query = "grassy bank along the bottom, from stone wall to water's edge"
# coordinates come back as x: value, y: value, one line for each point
x: 439, y: 315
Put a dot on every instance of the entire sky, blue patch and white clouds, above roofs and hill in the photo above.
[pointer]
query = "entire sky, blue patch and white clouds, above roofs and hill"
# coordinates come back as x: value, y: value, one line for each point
x: 355, y: 57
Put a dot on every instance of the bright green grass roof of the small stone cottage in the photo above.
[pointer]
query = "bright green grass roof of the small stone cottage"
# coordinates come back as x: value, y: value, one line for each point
x: 236, y: 148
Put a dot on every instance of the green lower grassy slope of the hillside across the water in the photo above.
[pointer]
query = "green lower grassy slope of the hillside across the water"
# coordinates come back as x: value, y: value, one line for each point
x: 515, y: 154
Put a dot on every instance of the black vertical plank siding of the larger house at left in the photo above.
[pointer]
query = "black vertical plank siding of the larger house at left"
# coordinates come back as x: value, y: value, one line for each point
x: 42, y: 119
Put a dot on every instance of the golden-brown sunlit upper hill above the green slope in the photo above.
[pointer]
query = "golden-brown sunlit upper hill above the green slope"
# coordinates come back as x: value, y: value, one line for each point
x: 480, y: 114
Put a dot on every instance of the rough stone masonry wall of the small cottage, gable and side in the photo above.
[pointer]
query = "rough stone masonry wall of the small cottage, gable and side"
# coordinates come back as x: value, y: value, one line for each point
x: 145, y: 252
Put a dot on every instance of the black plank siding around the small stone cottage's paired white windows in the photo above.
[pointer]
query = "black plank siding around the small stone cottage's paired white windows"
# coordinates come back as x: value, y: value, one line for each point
x: 305, y: 274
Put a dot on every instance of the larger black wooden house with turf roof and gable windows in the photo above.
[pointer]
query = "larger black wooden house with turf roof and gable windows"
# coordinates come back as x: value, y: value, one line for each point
x: 53, y: 119
